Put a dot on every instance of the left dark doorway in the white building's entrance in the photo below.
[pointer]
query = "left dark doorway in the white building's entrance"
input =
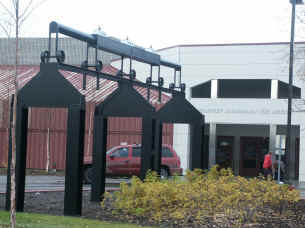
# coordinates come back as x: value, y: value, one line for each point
x: 224, y: 151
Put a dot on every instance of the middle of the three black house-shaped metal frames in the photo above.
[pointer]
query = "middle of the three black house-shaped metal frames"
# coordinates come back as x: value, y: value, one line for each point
x: 125, y: 101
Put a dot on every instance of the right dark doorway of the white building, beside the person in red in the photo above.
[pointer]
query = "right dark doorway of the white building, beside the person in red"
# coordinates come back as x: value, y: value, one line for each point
x: 252, y: 151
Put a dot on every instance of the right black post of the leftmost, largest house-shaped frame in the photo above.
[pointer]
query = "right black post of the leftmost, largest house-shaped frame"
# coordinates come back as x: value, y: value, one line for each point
x: 74, y: 161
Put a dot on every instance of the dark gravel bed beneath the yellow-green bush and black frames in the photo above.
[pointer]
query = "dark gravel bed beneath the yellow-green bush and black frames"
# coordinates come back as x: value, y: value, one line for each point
x: 52, y: 203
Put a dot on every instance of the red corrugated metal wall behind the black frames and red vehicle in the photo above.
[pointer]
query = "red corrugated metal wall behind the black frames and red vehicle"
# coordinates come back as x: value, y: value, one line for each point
x: 41, y: 119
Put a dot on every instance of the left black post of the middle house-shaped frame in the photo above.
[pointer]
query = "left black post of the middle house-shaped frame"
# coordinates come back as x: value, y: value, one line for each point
x: 99, y: 157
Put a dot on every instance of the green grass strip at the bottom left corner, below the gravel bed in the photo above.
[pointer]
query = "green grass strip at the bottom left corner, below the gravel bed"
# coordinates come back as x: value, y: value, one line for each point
x: 29, y: 220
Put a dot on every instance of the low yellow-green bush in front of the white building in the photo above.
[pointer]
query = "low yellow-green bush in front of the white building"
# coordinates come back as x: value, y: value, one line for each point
x: 202, y: 195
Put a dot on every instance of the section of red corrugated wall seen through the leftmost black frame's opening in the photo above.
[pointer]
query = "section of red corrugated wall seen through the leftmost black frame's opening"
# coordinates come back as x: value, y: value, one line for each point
x: 40, y: 120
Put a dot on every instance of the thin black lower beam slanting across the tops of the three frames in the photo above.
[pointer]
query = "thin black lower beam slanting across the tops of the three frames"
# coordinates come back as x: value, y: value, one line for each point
x: 114, y: 78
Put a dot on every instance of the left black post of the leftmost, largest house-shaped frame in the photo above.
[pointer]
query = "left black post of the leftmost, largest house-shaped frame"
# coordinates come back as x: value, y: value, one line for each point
x: 21, y: 146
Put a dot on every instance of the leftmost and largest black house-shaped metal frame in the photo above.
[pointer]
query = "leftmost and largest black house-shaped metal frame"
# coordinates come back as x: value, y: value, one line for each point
x: 50, y: 89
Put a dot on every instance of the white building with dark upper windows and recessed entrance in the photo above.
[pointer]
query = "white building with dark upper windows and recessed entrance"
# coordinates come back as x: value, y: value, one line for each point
x: 243, y: 116
